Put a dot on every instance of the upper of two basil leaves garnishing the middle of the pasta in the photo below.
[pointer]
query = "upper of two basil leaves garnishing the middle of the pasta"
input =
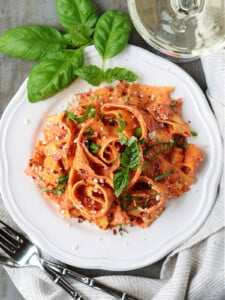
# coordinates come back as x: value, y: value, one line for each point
x: 131, y: 156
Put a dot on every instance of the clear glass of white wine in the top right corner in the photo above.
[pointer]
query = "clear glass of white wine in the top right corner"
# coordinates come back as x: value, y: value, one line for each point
x: 185, y: 29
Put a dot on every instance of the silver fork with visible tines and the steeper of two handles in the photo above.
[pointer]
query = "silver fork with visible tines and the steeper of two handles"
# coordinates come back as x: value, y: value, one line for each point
x: 25, y: 253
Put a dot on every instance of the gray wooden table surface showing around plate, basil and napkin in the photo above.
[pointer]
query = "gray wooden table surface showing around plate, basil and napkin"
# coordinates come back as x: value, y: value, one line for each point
x: 13, y: 72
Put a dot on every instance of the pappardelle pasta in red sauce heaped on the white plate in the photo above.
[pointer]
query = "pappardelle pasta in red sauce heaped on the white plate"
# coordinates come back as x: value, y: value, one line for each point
x: 117, y: 157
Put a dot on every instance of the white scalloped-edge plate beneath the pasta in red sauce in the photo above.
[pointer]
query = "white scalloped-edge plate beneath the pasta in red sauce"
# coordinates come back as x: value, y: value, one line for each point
x: 84, y: 245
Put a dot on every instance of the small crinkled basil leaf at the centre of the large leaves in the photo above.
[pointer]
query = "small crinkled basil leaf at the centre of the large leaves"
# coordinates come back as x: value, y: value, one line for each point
x: 80, y: 35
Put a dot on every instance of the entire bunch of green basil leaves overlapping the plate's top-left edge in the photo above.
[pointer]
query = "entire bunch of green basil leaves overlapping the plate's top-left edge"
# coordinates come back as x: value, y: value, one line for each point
x: 58, y: 64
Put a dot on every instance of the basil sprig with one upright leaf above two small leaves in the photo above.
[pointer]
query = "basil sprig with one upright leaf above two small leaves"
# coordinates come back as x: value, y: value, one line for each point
x: 110, y: 38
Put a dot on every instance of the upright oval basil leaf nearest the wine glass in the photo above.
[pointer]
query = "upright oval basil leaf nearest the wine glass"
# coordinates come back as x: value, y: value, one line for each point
x: 112, y: 33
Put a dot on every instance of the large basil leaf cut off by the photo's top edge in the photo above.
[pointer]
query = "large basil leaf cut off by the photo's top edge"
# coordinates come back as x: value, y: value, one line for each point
x: 76, y: 12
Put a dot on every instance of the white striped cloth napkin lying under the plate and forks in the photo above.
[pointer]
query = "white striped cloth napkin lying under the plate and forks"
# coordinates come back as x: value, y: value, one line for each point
x: 195, y: 270
